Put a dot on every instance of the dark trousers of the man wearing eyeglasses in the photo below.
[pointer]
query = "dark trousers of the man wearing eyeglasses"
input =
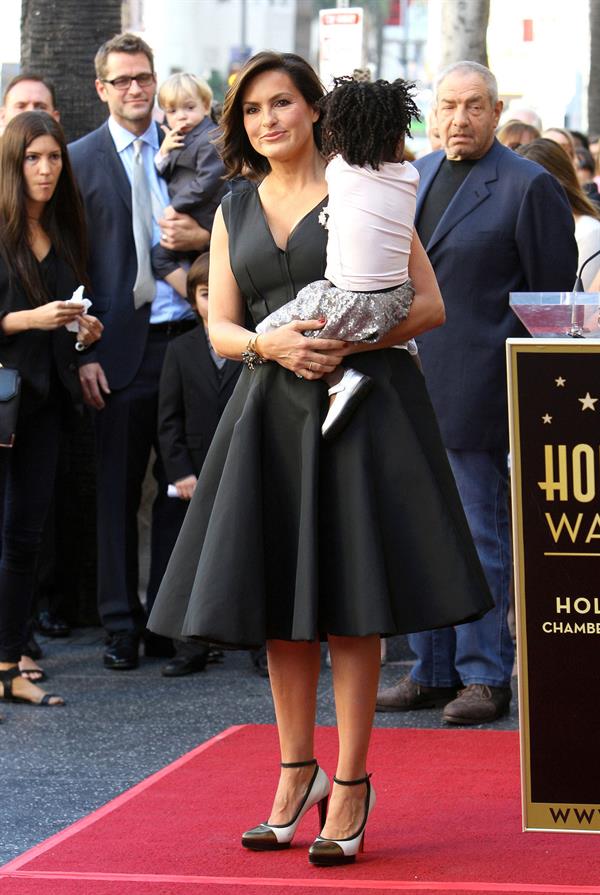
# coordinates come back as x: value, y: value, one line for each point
x: 126, y: 431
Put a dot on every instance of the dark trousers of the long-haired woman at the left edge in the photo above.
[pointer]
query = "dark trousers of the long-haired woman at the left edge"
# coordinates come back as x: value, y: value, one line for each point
x: 27, y: 495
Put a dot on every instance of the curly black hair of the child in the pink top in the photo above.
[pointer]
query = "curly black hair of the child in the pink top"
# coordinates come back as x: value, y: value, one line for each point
x: 364, y: 121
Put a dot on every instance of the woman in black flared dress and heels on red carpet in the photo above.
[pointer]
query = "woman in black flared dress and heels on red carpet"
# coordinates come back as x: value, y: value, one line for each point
x: 289, y: 538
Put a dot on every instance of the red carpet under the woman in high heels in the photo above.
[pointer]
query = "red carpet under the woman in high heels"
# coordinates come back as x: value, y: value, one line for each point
x: 447, y: 820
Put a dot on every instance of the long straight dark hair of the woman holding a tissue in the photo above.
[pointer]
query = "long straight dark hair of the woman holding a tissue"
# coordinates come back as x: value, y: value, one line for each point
x: 63, y: 218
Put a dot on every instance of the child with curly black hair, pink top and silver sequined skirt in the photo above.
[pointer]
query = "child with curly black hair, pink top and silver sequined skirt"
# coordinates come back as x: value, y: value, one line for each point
x: 370, y: 222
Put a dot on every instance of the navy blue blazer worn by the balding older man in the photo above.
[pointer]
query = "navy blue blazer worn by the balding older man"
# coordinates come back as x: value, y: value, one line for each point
x: 508, y: 228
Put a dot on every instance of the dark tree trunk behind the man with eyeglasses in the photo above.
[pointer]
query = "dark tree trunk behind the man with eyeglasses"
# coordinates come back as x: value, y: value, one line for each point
x: 59, y: 39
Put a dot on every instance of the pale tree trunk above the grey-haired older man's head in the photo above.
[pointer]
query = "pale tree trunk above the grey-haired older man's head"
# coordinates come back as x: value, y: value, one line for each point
x: 464, y: 28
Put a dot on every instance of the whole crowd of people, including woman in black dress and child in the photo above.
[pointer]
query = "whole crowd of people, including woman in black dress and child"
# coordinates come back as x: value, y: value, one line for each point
x: 319, y: 474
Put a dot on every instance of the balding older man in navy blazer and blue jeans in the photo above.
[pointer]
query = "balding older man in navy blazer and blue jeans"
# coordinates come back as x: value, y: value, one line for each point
x: 491, y: 225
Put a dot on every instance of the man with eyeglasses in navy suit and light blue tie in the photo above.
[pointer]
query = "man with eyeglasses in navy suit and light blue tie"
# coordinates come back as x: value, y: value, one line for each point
x: 124, y: 201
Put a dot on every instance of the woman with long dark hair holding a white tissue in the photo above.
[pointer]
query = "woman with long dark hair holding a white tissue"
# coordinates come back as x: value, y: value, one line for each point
x: 42, y: 262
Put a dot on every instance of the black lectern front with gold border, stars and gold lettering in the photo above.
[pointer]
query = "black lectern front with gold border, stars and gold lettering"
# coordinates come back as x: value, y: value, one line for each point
x: 554, y: 406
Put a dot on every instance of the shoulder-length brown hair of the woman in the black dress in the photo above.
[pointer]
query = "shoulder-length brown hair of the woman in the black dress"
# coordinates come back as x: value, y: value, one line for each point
x: 234, y: 146
